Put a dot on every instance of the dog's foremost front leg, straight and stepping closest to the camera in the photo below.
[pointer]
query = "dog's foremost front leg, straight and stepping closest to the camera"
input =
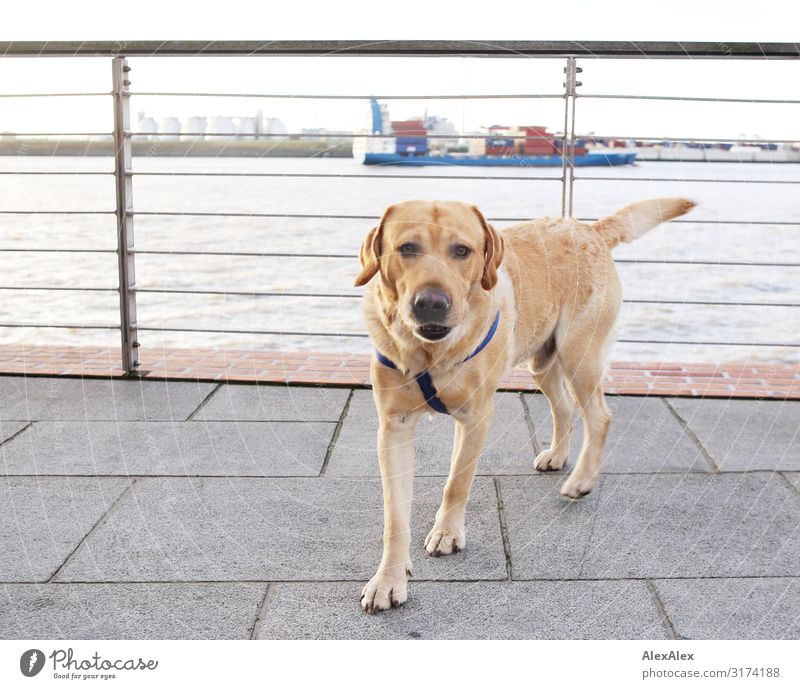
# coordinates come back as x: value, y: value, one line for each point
x: 389, y: 586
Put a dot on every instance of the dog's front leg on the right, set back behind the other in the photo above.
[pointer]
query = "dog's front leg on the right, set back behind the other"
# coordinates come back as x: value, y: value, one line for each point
x: 448, y: 534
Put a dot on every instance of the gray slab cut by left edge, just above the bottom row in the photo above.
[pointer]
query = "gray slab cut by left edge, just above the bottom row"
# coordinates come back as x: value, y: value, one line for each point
x: 42, y: 520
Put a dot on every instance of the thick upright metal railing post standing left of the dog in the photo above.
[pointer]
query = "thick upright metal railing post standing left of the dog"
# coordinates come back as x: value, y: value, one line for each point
x: 124, y: 185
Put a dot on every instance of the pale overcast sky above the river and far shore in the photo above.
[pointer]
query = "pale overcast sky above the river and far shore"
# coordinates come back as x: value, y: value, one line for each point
x: 679, y: 20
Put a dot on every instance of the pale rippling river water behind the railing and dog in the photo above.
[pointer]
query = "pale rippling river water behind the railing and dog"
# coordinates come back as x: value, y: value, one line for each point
x: 759, y: 194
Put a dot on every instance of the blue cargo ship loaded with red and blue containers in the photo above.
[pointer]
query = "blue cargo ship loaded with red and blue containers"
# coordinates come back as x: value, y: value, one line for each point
x: 433, y: 141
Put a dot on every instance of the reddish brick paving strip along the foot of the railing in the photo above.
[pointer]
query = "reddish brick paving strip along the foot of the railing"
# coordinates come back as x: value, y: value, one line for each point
x: 746, y: 380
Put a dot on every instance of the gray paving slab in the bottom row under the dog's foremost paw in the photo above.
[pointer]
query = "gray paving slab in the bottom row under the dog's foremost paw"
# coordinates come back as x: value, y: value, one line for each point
x: 468, y: 610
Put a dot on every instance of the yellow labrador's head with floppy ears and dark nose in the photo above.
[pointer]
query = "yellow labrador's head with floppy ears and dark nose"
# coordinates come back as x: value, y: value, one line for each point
x: 432, y: 256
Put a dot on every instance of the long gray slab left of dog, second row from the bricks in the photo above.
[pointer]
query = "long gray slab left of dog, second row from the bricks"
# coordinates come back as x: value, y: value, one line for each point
x: 214, y: 448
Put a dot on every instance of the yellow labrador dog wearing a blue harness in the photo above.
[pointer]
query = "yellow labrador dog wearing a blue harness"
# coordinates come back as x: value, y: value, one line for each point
x: 452, y: 305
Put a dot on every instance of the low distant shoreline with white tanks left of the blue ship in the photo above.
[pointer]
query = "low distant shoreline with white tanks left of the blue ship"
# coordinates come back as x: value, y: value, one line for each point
x: 236, y: 148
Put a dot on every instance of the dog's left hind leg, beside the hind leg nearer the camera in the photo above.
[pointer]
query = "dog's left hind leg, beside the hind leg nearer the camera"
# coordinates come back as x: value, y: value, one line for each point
x: 550, y: 381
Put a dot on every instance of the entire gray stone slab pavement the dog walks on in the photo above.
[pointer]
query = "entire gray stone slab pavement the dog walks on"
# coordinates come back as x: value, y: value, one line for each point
x: 145, y: 509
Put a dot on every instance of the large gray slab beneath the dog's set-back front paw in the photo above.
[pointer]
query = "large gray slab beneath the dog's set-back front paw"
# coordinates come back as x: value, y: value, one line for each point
x: 215, y: 529
